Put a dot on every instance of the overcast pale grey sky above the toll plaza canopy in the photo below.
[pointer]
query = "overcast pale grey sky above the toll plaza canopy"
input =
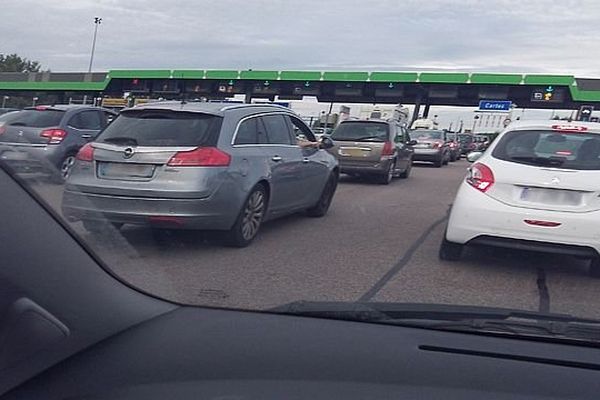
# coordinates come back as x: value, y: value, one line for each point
x: 470, y: 35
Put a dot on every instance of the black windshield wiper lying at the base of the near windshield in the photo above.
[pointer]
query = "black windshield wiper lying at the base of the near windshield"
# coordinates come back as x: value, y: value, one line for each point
x: 452, y: 317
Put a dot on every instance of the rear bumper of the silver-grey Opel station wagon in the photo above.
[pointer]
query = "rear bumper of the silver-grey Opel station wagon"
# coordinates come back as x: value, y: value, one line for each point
x: 205, y: 213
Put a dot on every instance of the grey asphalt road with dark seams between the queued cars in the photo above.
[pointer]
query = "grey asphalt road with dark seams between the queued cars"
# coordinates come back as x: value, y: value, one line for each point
x: 377, y: 243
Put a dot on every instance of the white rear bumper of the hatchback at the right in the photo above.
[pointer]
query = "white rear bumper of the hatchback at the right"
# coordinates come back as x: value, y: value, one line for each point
x: 476, y: 218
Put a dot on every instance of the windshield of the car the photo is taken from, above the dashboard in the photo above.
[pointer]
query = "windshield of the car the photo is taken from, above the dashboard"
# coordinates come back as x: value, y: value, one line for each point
x: 250, y: 155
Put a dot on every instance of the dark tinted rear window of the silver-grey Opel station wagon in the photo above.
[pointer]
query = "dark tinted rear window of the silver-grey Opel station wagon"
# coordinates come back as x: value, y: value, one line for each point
x: 162, y: 128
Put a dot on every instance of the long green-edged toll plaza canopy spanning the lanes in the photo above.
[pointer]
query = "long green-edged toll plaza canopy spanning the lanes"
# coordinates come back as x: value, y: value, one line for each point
x: 429, y: 88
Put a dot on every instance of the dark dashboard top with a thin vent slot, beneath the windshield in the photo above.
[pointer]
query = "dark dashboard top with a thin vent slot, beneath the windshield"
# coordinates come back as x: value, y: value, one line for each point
x: 194, y: 353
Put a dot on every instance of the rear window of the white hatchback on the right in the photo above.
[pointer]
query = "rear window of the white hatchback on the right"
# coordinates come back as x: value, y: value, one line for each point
x: 547, y: 148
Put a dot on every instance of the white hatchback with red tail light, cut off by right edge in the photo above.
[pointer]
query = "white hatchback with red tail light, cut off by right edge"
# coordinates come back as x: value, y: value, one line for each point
x: 536, y: 188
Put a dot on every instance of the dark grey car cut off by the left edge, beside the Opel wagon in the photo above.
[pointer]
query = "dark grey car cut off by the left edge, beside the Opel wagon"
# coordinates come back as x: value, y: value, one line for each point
x: 46, y: 138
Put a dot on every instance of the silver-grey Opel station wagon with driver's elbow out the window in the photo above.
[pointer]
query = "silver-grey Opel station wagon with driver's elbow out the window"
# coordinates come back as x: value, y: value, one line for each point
x: 211, y: 166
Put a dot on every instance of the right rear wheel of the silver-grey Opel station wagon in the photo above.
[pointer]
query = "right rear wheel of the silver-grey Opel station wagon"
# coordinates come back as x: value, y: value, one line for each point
x: 249, y: 220
